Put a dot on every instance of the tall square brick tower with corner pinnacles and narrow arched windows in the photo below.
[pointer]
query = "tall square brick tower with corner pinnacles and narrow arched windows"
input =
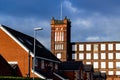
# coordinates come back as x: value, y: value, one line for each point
x: 61, y: 38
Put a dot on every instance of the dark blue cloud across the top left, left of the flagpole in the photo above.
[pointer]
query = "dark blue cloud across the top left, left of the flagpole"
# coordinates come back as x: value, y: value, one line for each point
x: 27, y: 8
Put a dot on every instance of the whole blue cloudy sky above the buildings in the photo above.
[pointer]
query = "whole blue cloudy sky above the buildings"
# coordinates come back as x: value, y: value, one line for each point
x: 91, y: 20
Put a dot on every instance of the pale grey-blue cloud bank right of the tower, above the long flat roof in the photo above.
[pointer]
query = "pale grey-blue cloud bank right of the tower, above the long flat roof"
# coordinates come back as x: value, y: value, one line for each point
x: 96, y: 27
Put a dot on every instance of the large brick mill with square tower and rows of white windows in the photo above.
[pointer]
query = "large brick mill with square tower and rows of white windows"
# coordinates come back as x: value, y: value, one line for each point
x: 104, y: 56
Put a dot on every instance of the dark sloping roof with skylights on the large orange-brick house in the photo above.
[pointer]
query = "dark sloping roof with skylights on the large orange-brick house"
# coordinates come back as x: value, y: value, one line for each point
x: 28, y: 42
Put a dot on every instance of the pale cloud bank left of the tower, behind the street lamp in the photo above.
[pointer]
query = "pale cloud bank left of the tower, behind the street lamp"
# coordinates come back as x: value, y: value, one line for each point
x: 26, y: 25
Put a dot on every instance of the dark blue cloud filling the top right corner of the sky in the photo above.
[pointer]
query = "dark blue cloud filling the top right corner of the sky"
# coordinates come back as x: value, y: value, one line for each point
x: 106, y: 7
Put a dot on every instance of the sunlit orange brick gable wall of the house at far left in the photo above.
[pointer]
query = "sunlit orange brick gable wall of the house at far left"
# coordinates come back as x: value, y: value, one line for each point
x: 12, y: 51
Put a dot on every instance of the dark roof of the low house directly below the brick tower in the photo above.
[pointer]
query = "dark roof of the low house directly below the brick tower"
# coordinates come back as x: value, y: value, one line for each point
x: 70, y: 65
